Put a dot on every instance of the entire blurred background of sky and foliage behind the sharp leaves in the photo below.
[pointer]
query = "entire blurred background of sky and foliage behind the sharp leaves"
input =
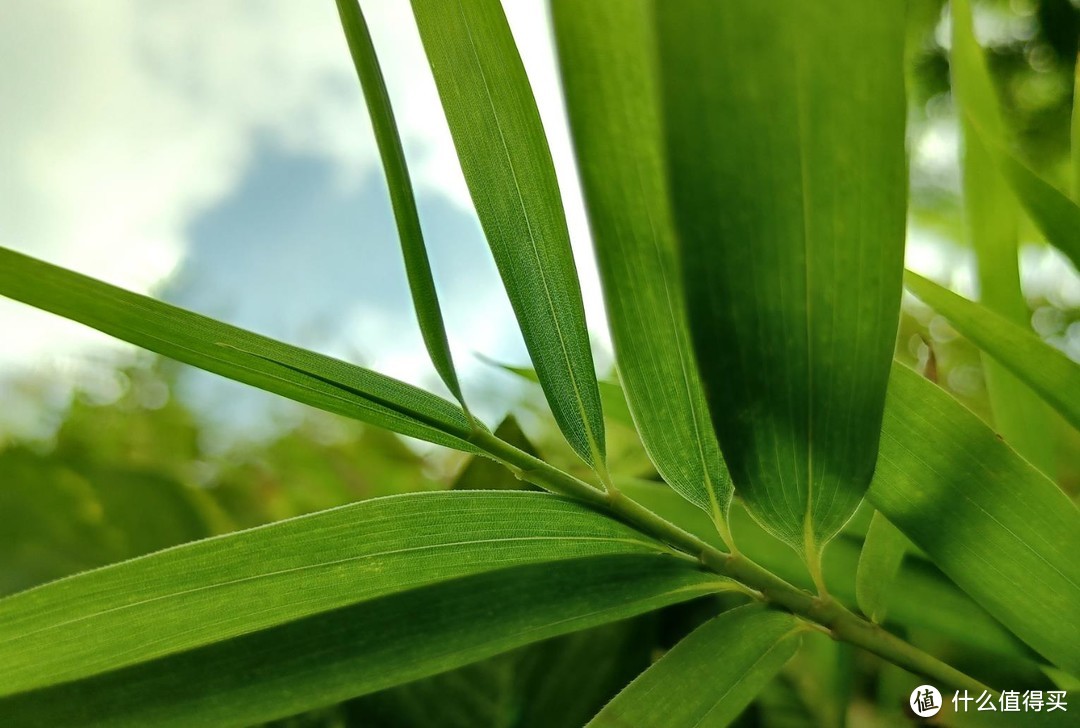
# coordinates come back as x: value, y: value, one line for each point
x: 217, y: 154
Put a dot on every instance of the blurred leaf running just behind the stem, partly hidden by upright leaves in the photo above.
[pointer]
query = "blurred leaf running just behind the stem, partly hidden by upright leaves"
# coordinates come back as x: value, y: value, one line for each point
x: 917, y: 585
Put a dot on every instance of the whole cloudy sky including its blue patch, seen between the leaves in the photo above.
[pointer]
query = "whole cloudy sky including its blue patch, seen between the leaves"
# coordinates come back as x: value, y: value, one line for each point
x: 218, y: 154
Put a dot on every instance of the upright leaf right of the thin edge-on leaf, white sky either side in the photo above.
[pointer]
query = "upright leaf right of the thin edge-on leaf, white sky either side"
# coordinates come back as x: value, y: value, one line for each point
x: 504, y: 154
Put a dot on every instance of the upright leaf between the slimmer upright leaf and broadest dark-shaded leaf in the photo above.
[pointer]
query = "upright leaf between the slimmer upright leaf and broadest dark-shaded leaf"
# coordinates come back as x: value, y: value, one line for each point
x: 610, y: 78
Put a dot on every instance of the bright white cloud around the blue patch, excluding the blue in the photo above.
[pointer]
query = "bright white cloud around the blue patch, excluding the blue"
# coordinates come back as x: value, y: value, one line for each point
x: 124, y: 122
